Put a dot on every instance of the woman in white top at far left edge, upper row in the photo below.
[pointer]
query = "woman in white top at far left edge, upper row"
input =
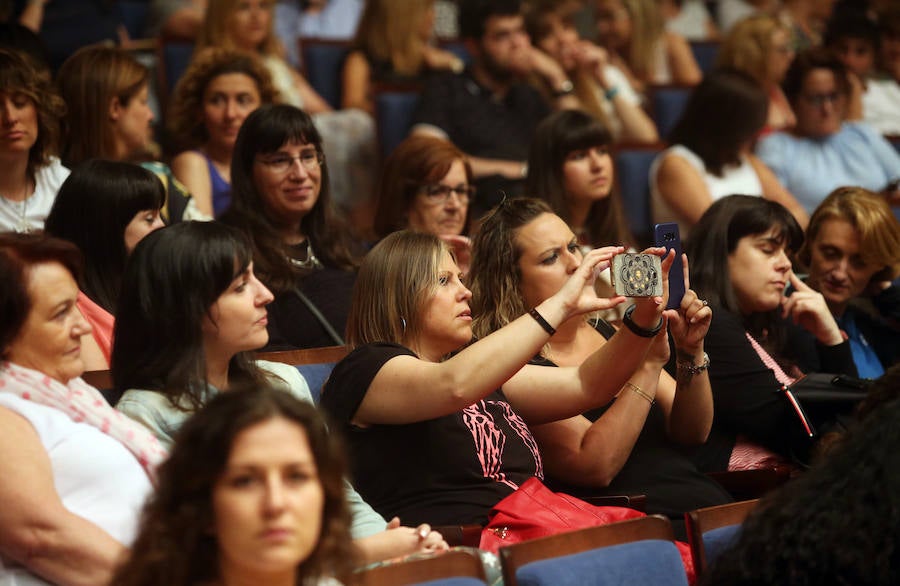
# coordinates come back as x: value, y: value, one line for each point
x: 30, y: 173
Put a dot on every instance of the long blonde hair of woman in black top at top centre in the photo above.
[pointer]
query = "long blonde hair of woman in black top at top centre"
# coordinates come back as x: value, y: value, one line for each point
x: 389, y: 30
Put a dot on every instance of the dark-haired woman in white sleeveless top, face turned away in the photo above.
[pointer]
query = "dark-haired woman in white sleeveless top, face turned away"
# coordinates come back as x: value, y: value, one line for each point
x: 712, y: 155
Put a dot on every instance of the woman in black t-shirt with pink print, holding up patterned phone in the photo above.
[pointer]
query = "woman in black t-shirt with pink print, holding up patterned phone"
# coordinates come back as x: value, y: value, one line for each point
x: 443, y: 439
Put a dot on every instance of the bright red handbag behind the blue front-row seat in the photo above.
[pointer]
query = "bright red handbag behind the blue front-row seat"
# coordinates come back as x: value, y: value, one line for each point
x: 536, y: 511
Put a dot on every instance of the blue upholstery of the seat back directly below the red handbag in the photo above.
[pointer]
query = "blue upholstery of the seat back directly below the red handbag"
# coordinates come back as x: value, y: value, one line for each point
x: 652, y: 561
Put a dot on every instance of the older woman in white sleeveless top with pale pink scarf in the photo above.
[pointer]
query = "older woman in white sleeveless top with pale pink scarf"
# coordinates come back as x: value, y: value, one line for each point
x: 75, y: 471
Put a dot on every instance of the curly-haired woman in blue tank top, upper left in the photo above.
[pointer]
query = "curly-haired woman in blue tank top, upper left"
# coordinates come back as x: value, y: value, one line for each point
x: 220, y: 88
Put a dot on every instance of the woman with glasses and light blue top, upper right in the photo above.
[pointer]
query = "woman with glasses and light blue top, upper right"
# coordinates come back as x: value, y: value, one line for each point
x: 825, y: 151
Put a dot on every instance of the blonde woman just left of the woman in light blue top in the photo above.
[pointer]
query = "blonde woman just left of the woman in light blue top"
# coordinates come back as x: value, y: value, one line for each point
x: 760, y: 46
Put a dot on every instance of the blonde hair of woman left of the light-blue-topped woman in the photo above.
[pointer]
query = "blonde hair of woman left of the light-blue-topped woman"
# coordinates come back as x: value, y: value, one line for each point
x: 748, y: 46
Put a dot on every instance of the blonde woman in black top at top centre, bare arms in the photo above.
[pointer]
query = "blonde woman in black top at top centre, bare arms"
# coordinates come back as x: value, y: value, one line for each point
x: 392, y: 43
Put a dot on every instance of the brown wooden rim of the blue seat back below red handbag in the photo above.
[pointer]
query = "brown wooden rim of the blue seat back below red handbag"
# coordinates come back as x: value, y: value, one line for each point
x: 516, y: 556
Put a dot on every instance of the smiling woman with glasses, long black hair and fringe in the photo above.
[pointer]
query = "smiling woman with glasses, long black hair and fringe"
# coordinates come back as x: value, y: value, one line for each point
x: 301, y: 247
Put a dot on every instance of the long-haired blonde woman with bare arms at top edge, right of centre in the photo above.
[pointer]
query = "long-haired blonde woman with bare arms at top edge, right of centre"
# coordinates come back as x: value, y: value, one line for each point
x: 634, y: 33
